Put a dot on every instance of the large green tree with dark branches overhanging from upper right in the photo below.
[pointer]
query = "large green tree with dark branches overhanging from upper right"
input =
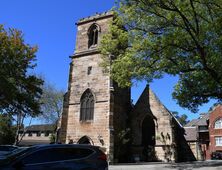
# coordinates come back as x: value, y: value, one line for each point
x: 180, y: 38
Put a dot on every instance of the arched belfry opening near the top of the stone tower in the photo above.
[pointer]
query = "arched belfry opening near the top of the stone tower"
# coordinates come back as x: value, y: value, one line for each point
x: 93, y: 34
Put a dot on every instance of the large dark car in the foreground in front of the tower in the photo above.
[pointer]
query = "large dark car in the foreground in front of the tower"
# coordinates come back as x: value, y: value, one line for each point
x: 56, y: 156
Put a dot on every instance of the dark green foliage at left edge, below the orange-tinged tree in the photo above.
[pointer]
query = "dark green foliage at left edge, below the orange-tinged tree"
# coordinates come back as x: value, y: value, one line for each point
x: 7, y: 130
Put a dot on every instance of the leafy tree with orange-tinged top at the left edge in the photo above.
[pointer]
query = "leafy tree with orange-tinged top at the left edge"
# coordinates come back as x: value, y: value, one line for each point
x: 20, y: 91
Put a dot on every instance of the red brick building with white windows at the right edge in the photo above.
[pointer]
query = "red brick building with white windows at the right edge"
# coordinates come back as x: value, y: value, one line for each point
x: 215, y: 129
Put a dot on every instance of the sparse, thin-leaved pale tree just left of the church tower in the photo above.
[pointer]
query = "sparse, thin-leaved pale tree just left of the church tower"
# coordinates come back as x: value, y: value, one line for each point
x: 52, y: 105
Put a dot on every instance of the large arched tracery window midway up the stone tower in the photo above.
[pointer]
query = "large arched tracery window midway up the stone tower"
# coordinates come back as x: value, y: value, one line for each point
x: 87, y: 106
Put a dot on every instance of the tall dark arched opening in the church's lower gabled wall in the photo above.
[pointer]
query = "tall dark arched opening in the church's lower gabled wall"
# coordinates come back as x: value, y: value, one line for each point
x: 148, y: 138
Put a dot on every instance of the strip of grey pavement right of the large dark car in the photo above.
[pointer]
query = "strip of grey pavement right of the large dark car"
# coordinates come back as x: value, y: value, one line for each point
x: 199, y: 165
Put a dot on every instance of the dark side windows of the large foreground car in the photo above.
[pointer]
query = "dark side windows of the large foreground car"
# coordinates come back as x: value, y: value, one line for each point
x: 56, y: 154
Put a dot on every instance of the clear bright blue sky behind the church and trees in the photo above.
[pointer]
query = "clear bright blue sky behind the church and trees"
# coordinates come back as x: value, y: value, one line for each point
x: 50, y: 24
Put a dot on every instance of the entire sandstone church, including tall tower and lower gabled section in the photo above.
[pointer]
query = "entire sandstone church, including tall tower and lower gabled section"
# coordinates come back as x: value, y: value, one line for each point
x: 97, y: 112
